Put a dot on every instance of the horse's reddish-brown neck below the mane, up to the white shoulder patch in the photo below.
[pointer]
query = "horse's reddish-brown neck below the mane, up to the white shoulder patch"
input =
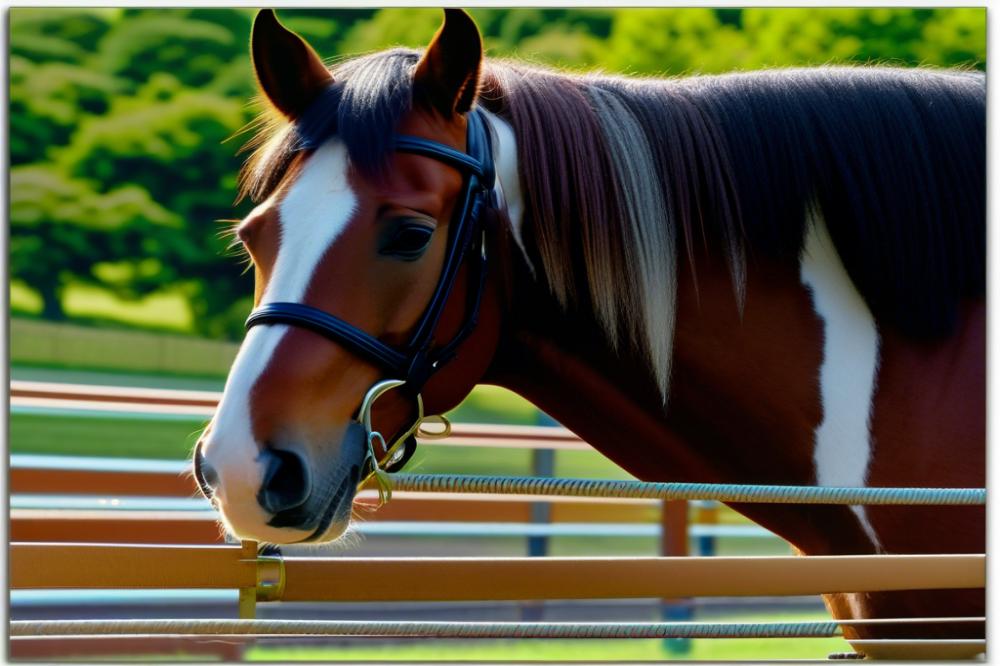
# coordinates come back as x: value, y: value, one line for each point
x: 743, y: 404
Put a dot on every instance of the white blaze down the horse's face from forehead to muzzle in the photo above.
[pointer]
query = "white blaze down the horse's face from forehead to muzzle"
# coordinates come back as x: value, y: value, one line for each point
x: 313, y: 213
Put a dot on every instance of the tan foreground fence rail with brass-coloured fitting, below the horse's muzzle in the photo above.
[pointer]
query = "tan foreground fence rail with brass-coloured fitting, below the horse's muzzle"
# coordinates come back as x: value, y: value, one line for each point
x: 90, y: 566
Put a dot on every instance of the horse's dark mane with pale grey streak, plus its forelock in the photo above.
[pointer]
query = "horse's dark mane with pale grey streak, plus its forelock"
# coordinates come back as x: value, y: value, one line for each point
x: 622, y: 175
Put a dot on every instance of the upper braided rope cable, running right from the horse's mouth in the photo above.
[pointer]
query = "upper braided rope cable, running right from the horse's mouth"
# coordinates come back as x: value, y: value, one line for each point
x: 722, y: 492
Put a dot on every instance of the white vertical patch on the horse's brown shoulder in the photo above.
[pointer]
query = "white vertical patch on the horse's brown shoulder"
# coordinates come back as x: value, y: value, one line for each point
x: 849, y: 370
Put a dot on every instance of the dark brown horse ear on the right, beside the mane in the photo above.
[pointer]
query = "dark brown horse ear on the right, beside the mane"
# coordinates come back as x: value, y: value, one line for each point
x: 447, y: 77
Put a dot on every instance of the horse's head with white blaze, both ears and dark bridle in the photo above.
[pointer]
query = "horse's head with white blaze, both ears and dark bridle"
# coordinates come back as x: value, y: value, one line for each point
x: 368, y: 246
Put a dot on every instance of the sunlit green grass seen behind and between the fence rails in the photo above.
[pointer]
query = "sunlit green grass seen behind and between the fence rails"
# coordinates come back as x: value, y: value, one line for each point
x: 86, y: 354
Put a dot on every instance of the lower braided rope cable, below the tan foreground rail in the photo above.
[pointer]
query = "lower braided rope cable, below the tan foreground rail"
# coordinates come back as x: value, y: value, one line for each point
x: 603, y: 630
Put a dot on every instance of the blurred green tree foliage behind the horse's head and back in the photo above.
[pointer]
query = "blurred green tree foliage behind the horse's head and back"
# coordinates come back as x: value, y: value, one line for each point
x: 119, y: 118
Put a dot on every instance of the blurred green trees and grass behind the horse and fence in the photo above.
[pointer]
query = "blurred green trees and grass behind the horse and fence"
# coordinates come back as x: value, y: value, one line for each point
x: 125, y: 128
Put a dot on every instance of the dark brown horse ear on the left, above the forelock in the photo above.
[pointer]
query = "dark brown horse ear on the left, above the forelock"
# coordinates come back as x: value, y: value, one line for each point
x: 288, y: 70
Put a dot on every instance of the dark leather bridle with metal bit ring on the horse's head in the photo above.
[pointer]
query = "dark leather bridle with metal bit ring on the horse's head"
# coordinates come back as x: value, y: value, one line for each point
x: 413, y: 364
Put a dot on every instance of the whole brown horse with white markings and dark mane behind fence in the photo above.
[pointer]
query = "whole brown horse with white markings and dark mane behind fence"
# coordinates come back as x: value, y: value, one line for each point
x: 774, y: 277
